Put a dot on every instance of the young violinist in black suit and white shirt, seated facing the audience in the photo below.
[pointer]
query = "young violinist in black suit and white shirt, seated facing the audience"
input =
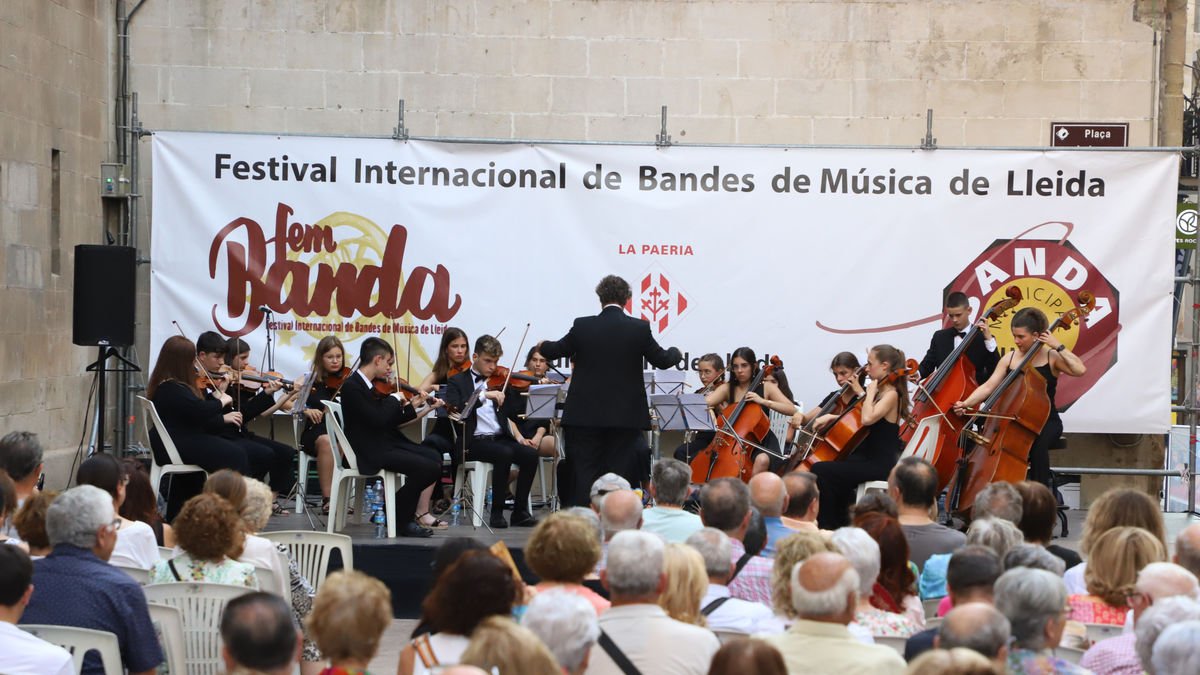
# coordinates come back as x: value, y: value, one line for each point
x: 489, y: 437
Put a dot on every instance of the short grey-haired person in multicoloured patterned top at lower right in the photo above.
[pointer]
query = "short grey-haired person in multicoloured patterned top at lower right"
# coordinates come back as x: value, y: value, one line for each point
x: 1035, y: 602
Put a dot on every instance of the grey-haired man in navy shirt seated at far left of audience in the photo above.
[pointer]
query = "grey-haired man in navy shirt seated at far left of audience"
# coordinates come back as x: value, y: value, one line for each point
x: 76, y: 587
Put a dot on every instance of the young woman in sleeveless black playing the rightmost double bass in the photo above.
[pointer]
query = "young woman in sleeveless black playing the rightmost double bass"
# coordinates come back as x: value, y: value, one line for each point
x: 1030, y: 332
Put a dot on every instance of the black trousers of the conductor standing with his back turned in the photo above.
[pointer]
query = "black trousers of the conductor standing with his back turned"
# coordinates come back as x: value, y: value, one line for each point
x: 596, y: 451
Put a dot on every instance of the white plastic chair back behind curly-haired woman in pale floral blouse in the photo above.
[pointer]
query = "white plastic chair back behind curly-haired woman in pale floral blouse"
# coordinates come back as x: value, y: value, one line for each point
x: 200, y: 607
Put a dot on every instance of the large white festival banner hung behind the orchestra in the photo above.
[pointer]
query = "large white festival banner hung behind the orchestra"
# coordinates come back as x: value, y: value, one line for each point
x: 799, y: 253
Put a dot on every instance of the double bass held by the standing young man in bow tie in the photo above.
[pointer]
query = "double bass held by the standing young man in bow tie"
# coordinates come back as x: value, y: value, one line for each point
x: 953, y: 381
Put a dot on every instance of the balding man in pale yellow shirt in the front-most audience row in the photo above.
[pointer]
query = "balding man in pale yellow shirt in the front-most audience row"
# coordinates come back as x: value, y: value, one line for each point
x: 825, y: 593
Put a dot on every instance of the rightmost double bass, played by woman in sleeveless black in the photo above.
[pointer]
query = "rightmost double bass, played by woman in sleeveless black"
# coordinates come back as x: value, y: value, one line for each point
x: 1015, y: 416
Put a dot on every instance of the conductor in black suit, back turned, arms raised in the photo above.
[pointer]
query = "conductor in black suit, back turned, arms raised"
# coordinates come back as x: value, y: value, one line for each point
x: 607, y: 413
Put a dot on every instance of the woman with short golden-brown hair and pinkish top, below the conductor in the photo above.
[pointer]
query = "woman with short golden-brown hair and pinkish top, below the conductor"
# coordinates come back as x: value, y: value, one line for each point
x: 562, y: 551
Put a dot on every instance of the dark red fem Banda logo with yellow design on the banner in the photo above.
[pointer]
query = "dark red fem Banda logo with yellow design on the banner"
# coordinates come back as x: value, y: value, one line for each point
x: 260, y: 276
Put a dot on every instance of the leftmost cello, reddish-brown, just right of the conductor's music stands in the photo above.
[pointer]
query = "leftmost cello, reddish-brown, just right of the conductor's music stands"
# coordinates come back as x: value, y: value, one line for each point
x: 740, y: 429
